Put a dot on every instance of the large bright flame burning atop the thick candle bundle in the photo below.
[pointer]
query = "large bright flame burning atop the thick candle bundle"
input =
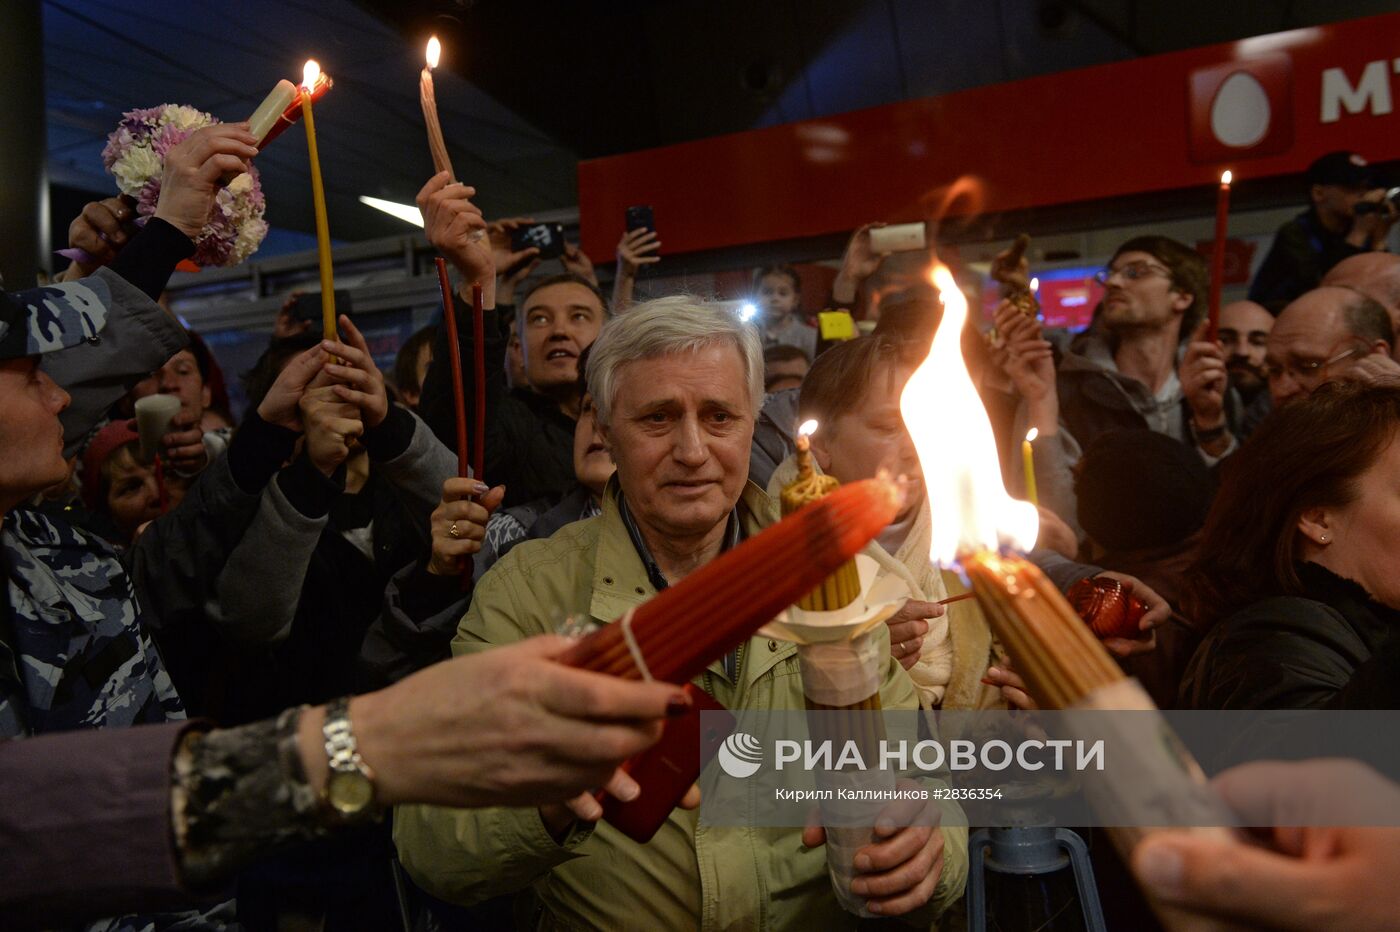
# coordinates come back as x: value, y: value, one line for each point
x: 957, y: 449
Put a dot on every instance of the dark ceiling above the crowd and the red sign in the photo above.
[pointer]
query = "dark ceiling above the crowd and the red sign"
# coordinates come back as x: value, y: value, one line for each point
x: 531, y: 87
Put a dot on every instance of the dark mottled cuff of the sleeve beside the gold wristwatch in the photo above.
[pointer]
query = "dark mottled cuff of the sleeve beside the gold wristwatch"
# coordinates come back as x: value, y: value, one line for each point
x: 239, y: 794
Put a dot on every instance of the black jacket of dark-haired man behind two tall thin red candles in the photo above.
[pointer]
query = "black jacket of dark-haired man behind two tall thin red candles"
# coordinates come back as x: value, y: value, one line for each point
x: 530, y: 443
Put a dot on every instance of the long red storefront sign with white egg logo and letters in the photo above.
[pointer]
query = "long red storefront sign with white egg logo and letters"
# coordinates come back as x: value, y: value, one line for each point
x: 1261, y: 107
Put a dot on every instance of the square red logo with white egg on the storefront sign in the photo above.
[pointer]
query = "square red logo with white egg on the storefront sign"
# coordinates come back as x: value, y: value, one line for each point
x: 1241, y: 110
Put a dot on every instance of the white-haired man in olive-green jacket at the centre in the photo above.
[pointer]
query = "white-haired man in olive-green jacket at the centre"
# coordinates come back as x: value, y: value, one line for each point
x: 677, y: 387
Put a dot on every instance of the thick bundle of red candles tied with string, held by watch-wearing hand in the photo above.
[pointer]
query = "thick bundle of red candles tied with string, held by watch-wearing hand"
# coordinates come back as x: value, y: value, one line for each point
x: 723, y: 604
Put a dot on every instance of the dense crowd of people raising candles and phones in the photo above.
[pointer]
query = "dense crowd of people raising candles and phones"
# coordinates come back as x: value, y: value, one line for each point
x: 232, y: 650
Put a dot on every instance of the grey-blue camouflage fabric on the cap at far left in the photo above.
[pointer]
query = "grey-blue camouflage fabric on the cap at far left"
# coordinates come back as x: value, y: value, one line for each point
x: 52, y: 318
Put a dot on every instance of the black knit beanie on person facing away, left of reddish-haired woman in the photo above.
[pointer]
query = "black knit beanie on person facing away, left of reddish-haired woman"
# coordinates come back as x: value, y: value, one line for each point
x: 1142, y: 490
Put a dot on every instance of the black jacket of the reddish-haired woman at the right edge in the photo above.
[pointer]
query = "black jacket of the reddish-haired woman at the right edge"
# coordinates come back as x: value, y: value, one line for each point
x: 1290, y: 651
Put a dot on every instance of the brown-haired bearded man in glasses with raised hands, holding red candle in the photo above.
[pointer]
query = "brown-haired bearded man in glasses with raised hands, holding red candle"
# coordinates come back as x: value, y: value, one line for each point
x: 1133, y: 369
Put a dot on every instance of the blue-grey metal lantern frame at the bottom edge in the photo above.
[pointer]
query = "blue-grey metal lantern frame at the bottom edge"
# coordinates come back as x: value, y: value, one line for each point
x: 1034, y: 854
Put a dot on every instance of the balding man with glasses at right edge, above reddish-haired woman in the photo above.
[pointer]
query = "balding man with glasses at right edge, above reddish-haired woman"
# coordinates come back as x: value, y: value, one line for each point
x: 1326, y: 335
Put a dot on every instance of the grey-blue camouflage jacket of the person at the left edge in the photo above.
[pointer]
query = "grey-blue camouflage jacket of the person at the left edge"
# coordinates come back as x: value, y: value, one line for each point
x: 75, y: 653
